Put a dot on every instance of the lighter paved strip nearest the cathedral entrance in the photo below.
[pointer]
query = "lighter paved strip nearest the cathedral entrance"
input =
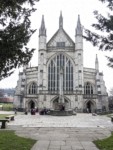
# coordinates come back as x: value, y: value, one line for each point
x: 80, y: 120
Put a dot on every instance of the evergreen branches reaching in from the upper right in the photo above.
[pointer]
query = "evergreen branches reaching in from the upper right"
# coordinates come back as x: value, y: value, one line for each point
x: 103, y: 39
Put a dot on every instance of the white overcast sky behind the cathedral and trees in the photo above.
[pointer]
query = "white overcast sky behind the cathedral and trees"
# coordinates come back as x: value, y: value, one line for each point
x: 70, y: 10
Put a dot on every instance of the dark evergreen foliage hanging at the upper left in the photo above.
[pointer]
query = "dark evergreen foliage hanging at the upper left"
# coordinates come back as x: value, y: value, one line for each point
x: 15, y: 33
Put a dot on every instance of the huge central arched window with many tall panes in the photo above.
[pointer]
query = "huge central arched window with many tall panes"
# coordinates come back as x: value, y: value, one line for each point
x: 55, y: 65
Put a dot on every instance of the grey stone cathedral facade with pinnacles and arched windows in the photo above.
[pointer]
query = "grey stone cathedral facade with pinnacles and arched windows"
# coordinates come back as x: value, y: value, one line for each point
x: 82, y: 88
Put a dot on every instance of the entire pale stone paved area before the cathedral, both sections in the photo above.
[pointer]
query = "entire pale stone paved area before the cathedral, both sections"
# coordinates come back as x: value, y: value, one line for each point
x: 62, y: 133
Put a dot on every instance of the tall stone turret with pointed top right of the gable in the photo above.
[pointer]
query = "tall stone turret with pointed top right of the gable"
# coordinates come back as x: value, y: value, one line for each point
x: 79, y: 56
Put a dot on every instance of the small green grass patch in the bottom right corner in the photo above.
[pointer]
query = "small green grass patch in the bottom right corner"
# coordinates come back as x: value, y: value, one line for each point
x: 105, y: 144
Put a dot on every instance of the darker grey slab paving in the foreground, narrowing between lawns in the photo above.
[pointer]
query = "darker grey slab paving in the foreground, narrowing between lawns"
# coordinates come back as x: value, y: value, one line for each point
x: 54, y: 138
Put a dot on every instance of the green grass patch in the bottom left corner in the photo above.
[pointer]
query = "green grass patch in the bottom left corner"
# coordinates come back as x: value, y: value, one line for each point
x: 10, y: 141
